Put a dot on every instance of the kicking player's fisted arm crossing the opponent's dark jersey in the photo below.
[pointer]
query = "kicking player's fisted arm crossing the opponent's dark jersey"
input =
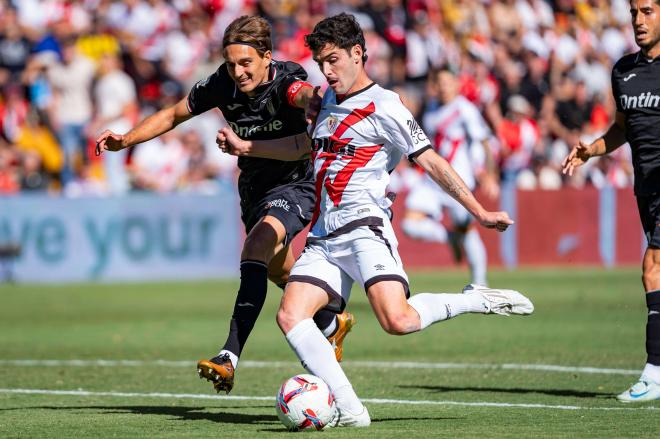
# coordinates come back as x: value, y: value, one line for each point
x: 286, y: 148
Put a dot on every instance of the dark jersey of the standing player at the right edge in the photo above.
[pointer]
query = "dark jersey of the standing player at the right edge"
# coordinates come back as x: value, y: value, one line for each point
x: 636, y: 89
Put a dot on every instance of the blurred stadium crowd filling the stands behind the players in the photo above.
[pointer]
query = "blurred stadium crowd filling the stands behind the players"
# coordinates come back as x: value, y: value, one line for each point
x: 539, y: 71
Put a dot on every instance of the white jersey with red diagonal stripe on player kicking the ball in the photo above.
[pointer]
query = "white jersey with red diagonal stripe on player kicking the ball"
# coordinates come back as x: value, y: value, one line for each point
x: 356, y: 142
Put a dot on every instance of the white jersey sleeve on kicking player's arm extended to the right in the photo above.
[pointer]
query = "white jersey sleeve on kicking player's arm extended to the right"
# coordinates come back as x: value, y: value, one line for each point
x: 401, y: 129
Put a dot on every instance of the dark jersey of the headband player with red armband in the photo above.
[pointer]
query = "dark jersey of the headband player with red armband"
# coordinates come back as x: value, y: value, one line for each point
x: 266, y: 115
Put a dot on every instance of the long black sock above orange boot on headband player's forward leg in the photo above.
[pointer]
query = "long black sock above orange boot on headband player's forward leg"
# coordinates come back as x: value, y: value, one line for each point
x: 249, y: 301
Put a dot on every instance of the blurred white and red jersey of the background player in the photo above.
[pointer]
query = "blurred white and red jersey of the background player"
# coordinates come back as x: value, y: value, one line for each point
x: 458, y: 130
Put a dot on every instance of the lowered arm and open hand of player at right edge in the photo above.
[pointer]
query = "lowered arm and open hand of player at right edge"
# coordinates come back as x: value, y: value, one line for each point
x: 611, y: 140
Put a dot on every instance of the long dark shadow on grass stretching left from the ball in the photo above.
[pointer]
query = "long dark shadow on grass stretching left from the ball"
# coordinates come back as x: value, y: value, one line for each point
x: 181, y: 413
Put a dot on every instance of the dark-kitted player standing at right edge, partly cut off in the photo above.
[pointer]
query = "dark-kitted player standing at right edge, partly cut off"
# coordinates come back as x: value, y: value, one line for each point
x: 636, y: 89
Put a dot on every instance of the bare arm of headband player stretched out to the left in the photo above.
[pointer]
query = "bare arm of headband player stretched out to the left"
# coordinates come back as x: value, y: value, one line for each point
x: 153, y: 126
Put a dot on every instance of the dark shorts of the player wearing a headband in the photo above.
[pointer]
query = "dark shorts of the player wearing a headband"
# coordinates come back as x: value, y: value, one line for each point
x: 291, y: 204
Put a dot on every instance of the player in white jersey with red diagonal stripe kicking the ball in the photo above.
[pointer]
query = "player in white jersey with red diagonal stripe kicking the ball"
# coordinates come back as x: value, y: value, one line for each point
x: 359, y: 127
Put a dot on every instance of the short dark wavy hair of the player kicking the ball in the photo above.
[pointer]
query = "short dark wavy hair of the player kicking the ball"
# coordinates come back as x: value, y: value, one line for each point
x: 341, y: 30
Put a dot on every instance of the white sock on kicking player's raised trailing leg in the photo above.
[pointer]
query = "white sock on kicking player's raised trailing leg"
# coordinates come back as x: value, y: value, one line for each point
x: 435, y: 307
